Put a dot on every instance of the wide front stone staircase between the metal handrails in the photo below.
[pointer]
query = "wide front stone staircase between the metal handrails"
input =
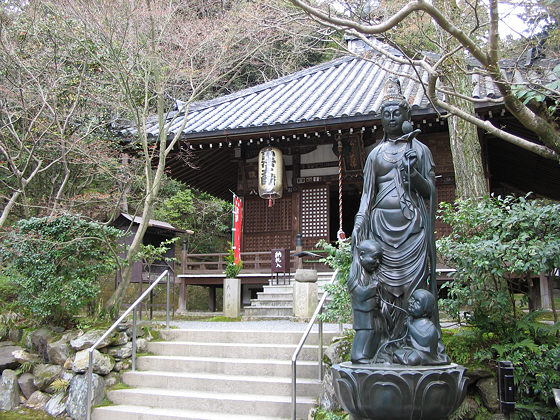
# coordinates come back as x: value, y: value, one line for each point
x: 218, y: 375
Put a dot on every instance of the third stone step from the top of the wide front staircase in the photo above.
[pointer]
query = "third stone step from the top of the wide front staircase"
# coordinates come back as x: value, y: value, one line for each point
x: 228, y: 366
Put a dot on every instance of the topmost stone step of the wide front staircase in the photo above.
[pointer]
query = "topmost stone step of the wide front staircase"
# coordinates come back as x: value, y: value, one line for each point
x: 243, y: 336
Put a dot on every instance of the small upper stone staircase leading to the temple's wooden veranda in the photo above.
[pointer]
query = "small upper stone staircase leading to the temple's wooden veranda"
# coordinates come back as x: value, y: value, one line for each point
x: 276, y: 301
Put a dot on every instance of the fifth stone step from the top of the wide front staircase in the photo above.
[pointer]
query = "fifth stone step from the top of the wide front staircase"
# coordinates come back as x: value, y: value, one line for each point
x: 222, y: 402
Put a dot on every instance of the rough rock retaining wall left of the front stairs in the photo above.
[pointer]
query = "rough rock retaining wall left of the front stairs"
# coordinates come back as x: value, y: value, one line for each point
x: 46, y: 369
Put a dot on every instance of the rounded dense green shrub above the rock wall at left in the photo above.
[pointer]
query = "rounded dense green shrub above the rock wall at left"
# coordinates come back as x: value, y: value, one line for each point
x: 55, y: 265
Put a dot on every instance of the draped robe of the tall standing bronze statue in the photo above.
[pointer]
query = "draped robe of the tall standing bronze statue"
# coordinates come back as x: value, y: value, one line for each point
x: 403, y: 232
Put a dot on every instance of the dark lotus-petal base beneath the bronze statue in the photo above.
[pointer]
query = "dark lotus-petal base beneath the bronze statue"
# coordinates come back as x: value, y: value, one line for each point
x: 395, y: 392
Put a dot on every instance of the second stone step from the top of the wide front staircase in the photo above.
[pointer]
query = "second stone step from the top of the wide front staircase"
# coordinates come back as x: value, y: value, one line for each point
x: 231, y: 350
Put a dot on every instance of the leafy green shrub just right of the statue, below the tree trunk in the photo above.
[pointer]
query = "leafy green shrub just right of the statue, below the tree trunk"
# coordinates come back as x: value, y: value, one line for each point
x: 495, y: 241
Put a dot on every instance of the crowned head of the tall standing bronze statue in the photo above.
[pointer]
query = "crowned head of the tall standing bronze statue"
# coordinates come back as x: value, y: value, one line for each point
x: 395, y: 110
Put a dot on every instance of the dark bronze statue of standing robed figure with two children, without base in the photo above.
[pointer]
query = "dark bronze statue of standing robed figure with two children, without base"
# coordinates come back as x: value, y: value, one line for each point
x: 393, y: 247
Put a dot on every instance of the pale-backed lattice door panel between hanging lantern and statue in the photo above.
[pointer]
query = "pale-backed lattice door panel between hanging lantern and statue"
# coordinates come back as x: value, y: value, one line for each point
x: 314, y: 215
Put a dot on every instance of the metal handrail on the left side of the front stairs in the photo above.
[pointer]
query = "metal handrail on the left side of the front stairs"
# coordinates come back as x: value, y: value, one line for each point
x: 112, y: 327
